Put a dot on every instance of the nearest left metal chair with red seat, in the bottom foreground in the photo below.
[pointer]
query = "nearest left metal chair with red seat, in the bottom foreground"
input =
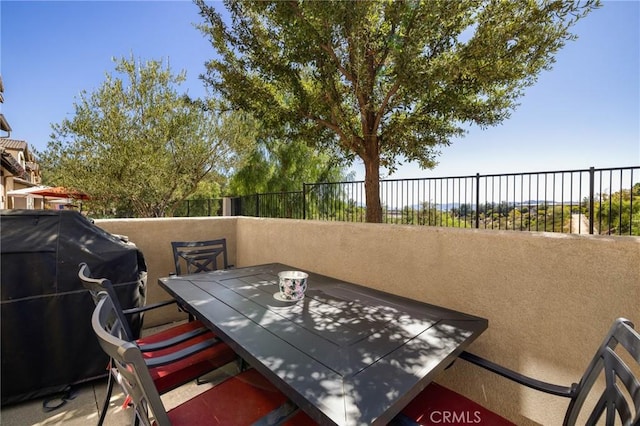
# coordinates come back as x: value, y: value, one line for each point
x: 243, y: 399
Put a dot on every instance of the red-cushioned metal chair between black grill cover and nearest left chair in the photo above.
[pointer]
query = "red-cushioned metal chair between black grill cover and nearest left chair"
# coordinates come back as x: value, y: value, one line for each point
x: 175, y: 356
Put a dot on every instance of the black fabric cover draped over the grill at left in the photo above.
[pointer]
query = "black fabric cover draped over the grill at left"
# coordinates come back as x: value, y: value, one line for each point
x: 47, y: 339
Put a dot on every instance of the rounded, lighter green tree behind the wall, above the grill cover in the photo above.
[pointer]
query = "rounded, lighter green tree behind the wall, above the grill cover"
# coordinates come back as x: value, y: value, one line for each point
x: 137, y: 146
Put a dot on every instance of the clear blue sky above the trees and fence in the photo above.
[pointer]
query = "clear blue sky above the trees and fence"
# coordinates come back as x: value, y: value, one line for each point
x: 585, y: 112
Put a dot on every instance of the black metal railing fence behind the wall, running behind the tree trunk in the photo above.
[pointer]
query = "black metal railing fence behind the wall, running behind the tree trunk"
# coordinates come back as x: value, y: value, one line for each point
x: 596, y: 201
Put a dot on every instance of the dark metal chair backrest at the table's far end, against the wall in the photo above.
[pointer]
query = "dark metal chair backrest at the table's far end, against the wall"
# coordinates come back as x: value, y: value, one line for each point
x: 199, y: 256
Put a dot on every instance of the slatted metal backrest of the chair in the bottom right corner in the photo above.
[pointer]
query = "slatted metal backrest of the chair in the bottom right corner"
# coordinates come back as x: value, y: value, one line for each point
x: 621, y: 345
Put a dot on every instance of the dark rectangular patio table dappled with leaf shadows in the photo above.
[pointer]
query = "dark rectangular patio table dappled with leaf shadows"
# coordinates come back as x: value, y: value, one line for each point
x: 346, y: 354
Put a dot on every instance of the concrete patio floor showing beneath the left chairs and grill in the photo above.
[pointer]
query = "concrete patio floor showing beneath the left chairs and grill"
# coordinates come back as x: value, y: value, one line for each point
x: 85, y: 408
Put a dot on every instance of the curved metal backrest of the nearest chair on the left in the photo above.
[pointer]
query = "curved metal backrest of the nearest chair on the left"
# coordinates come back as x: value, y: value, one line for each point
x: 127, y: 359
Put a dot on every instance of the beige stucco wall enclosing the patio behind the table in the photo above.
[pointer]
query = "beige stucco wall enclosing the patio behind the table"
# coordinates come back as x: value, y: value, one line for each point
x: 549, y: 298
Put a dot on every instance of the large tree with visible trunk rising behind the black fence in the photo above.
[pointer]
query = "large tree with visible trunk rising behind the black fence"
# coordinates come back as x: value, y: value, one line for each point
x: 383, y: 80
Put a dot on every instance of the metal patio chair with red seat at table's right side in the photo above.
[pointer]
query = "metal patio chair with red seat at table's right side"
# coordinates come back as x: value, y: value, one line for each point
x: 619, y: 377
